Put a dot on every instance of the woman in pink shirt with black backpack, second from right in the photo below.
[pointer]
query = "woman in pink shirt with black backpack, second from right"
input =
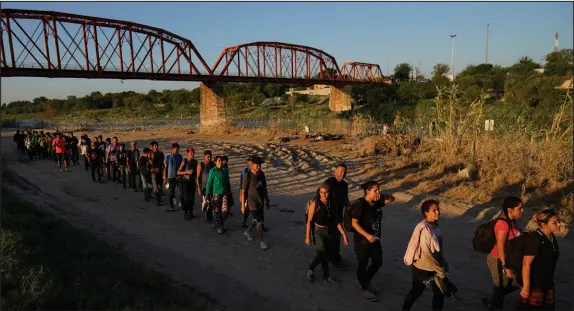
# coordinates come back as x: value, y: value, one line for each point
x: 504, y: 230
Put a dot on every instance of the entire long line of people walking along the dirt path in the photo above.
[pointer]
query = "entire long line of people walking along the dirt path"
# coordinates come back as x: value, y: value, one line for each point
x: 517, y: 260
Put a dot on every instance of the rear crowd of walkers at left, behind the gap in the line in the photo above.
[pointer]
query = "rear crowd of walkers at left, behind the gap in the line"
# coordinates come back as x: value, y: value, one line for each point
x: 150, y: 171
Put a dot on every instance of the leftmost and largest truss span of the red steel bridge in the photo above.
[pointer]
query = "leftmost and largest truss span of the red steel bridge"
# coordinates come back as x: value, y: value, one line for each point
x: 54, y: 44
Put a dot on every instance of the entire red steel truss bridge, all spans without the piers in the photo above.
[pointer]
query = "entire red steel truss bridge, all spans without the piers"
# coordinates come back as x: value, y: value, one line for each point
x: 61, y: 45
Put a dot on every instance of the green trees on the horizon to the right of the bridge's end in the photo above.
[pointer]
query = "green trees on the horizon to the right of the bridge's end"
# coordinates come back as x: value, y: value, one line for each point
x: 519, y: 83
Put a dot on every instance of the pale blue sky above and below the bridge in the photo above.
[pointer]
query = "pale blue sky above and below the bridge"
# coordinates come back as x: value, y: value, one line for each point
x: 410, y: 32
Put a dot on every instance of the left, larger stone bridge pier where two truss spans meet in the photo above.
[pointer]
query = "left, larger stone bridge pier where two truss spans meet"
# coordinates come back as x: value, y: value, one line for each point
x: 212, y: 106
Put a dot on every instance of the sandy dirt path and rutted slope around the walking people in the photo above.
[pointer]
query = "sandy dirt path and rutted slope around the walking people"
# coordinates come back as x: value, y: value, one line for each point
x: 236, y: 272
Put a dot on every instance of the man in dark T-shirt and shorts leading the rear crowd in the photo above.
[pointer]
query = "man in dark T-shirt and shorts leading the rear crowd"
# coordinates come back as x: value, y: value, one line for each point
x: 254, y: 194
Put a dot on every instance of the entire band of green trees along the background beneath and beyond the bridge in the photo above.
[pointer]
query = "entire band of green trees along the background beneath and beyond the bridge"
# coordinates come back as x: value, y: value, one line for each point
x: 519, y: 83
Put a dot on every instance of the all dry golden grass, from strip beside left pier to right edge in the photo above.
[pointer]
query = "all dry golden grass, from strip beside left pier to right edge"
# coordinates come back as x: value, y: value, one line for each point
x: 535, y: 164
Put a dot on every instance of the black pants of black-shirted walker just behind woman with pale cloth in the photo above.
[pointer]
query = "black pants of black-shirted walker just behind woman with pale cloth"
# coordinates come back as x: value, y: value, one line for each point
x: 367, y: 251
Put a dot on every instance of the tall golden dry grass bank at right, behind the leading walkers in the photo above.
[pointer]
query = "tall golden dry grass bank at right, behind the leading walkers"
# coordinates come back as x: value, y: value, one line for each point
x: 536, y: 165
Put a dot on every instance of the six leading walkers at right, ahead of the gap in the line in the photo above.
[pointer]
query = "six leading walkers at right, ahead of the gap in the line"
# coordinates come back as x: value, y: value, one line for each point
x: 528, y: 264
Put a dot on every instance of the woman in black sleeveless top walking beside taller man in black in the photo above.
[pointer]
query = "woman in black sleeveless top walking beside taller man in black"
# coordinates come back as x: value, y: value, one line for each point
x: 322, y: 217
